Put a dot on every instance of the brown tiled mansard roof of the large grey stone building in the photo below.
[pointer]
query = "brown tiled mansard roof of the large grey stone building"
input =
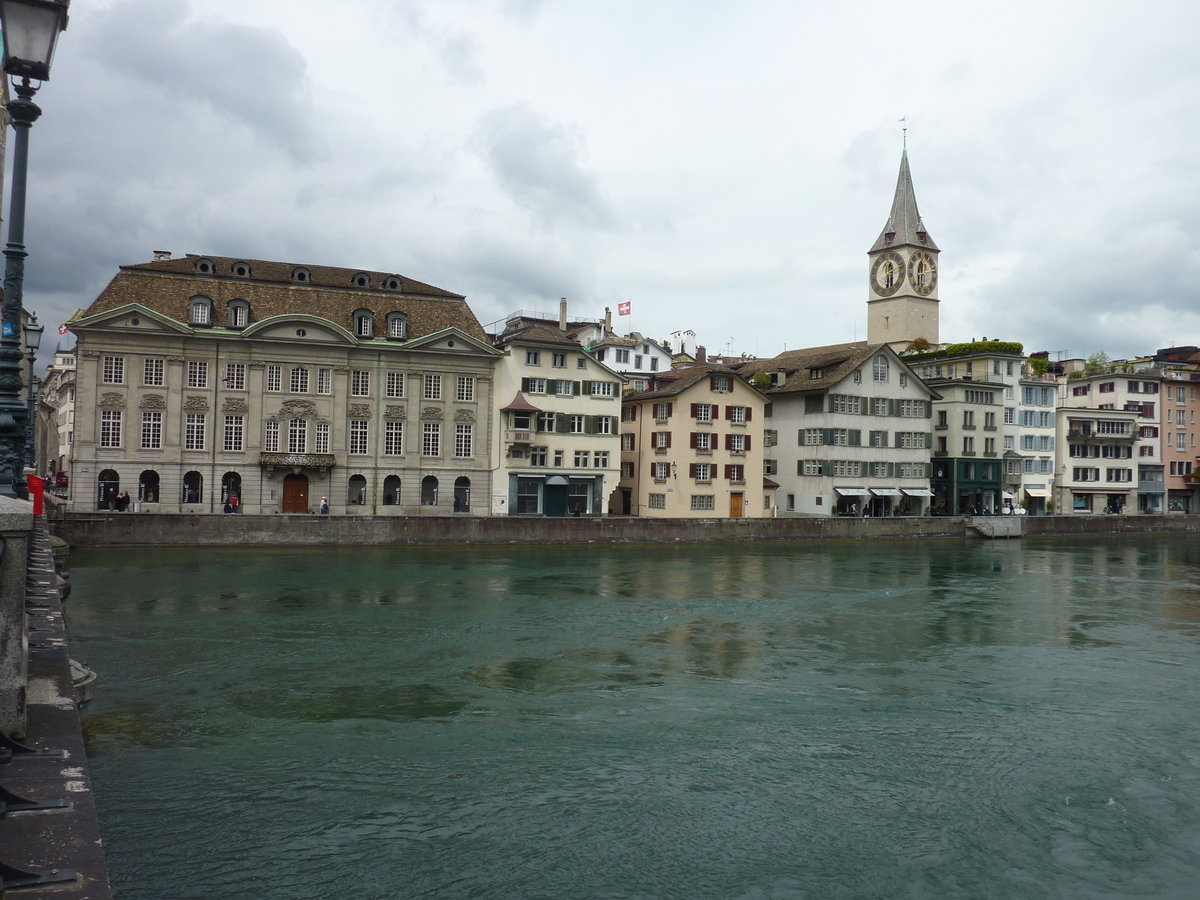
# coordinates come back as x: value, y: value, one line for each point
x: 167, y: 286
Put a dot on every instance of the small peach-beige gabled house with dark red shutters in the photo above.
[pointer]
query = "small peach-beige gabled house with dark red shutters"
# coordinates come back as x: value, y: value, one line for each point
x: 693, y: 448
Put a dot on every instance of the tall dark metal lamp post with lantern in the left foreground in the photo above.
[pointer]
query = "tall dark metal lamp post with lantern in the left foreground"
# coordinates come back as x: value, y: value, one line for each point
x: 31, y: 33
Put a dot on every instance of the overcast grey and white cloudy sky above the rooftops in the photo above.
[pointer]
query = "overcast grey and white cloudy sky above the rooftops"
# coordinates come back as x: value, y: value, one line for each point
x: 724, y: 166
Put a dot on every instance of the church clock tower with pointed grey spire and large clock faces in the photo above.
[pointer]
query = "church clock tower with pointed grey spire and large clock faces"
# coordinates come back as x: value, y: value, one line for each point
x: 903, y: 302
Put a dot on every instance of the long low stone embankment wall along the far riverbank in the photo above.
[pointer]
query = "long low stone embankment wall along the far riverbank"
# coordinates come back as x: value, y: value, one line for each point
x: 183, y: 531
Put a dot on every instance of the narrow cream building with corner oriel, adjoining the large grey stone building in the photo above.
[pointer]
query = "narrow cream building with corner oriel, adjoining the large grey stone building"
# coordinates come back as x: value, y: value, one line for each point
x: 557, y: 449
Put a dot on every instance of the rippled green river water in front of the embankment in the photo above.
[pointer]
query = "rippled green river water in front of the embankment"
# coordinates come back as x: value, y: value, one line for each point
x: 749, y: 722
